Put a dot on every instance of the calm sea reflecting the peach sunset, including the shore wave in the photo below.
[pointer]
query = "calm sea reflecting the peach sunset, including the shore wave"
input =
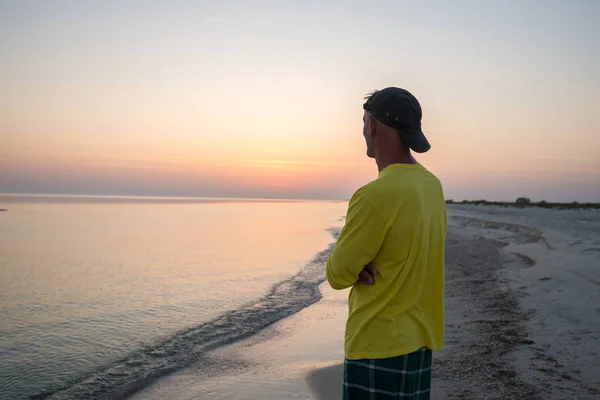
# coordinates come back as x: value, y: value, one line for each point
x: 101, y: 296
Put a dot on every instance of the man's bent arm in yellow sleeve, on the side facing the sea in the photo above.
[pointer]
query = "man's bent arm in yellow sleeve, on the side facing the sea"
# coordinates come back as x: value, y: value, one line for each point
x: 358, y: 244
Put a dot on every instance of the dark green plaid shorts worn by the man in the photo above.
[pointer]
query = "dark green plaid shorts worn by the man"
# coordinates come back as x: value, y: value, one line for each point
x: 403, y: 377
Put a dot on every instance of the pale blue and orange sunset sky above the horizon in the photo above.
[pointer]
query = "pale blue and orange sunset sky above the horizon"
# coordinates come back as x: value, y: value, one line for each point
x: 264, y: 98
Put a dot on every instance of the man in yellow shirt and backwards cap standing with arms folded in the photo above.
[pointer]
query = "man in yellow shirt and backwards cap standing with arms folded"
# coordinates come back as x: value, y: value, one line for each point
x: 391, y: 252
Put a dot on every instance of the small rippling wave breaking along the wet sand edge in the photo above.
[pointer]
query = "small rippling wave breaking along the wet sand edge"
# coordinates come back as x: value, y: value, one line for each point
x: 140, y: 368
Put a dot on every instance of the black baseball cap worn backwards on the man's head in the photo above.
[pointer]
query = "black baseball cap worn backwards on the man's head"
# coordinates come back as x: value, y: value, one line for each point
x: 399, y: 109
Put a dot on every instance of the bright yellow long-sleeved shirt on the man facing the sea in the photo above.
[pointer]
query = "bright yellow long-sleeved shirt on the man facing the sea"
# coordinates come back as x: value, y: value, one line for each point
x: 398, y: 224
